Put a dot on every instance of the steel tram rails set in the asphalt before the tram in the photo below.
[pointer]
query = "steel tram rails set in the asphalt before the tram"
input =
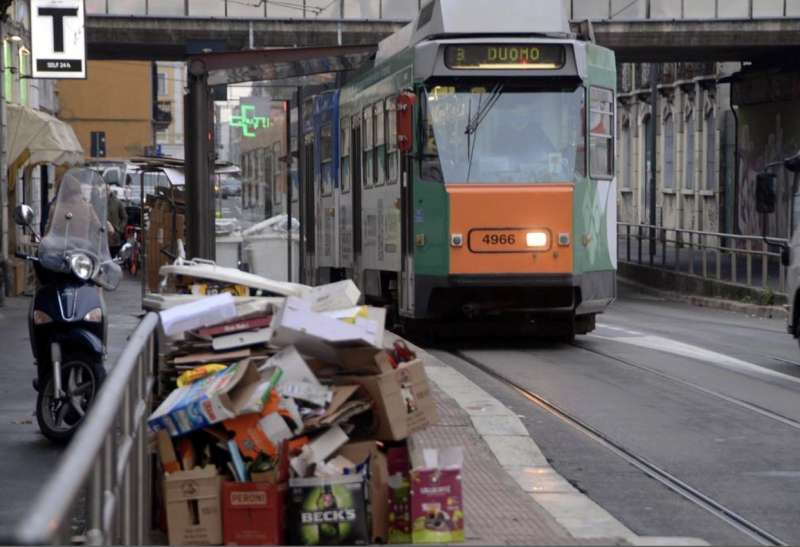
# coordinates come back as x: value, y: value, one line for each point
x: 649, y: 468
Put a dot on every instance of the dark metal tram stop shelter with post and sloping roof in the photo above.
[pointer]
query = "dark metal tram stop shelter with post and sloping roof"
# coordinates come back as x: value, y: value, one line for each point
x: 287, y: 72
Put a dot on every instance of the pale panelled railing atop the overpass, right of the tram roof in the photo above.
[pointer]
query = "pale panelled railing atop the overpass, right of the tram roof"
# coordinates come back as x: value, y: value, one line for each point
x: 678, y: 9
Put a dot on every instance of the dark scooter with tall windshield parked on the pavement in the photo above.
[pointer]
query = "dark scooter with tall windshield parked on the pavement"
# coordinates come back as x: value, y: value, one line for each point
x: 67, y: 319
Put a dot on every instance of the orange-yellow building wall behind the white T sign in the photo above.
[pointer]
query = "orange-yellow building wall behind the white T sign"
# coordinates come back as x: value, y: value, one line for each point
x: 117, y: 98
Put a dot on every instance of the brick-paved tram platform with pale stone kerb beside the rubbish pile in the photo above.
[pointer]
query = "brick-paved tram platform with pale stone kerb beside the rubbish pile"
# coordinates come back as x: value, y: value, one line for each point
x: 504, y: 472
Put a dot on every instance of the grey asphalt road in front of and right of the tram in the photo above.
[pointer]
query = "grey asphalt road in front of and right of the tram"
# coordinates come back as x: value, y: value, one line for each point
x: 693, y: 390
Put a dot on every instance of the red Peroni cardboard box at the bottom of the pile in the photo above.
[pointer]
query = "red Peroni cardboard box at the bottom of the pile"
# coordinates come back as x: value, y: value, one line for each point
x: 253, y: 513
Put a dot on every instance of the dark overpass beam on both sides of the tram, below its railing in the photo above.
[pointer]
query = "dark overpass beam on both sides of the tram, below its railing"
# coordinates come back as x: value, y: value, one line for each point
x: 766, y: 40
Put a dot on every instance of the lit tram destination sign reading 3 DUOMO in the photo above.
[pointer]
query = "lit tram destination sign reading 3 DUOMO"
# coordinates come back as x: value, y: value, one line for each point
x: 505, y: 56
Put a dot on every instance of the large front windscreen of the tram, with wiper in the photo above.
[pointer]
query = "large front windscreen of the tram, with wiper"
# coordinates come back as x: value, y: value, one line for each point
x: 501, y: 132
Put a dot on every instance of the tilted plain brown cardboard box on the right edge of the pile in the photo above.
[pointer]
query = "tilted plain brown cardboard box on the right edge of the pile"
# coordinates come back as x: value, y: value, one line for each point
x: 402, y: 400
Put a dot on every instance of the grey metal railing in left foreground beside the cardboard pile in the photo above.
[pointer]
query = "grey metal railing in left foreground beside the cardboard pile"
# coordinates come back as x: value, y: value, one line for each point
x: 100, y: 492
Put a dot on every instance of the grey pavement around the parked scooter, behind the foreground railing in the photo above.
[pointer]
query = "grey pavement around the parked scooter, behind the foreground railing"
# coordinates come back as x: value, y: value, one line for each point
x: 26, y: 457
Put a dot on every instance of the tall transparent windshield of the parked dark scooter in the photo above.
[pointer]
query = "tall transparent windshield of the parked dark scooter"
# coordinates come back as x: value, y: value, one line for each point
x: 77, y: 226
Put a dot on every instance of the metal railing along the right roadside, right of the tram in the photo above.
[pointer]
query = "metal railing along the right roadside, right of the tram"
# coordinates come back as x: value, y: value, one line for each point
x: 746, y: 261
